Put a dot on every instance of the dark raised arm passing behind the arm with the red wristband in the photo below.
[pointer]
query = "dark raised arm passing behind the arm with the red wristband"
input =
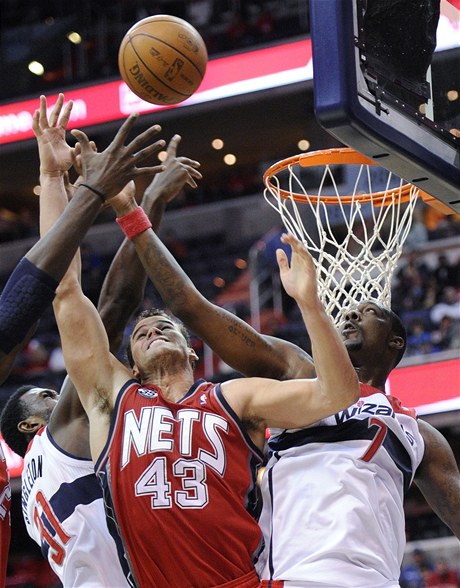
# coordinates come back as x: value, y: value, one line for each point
x: 120, y: 298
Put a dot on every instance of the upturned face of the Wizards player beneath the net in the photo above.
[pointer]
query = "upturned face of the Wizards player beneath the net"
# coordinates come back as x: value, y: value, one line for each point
x: 365, y: 326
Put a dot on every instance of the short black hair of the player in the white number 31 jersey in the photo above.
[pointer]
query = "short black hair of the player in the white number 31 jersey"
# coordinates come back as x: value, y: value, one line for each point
x: 13, y: 413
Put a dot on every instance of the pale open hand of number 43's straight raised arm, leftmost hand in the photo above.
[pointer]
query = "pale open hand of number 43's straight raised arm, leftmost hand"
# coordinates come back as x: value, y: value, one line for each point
x: 55, y: 154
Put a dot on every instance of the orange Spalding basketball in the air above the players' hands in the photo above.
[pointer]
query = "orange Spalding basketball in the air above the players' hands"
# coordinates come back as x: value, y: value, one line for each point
x: 162, y: 59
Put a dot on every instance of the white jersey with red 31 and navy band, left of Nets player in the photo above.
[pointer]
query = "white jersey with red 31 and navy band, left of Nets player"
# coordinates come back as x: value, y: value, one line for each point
x: 64, y: 513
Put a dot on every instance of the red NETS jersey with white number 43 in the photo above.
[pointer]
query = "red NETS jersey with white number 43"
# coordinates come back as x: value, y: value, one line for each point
x: 179, y: 482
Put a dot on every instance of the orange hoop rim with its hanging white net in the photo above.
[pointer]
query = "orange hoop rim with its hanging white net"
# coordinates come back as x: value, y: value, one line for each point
x: 355, y: 239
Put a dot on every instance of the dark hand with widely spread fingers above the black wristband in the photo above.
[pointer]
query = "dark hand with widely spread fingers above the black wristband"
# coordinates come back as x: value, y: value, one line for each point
x: 110, y: 170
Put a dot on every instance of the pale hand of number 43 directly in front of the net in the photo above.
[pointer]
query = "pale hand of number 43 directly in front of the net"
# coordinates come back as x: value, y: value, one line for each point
x: 298, y: 278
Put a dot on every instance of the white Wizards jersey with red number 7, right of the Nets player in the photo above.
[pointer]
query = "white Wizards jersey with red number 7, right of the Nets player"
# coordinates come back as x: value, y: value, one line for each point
x: 333, y: 496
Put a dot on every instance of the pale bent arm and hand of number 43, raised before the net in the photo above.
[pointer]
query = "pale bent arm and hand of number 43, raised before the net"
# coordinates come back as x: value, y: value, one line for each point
x: 298, y: 403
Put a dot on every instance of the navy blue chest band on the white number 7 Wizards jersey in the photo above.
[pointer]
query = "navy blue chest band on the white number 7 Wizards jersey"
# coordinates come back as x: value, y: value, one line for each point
x: 348, y: 431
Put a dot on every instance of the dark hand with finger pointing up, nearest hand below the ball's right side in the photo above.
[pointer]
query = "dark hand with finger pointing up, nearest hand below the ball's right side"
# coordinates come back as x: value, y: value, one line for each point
x: 177, y: 172
